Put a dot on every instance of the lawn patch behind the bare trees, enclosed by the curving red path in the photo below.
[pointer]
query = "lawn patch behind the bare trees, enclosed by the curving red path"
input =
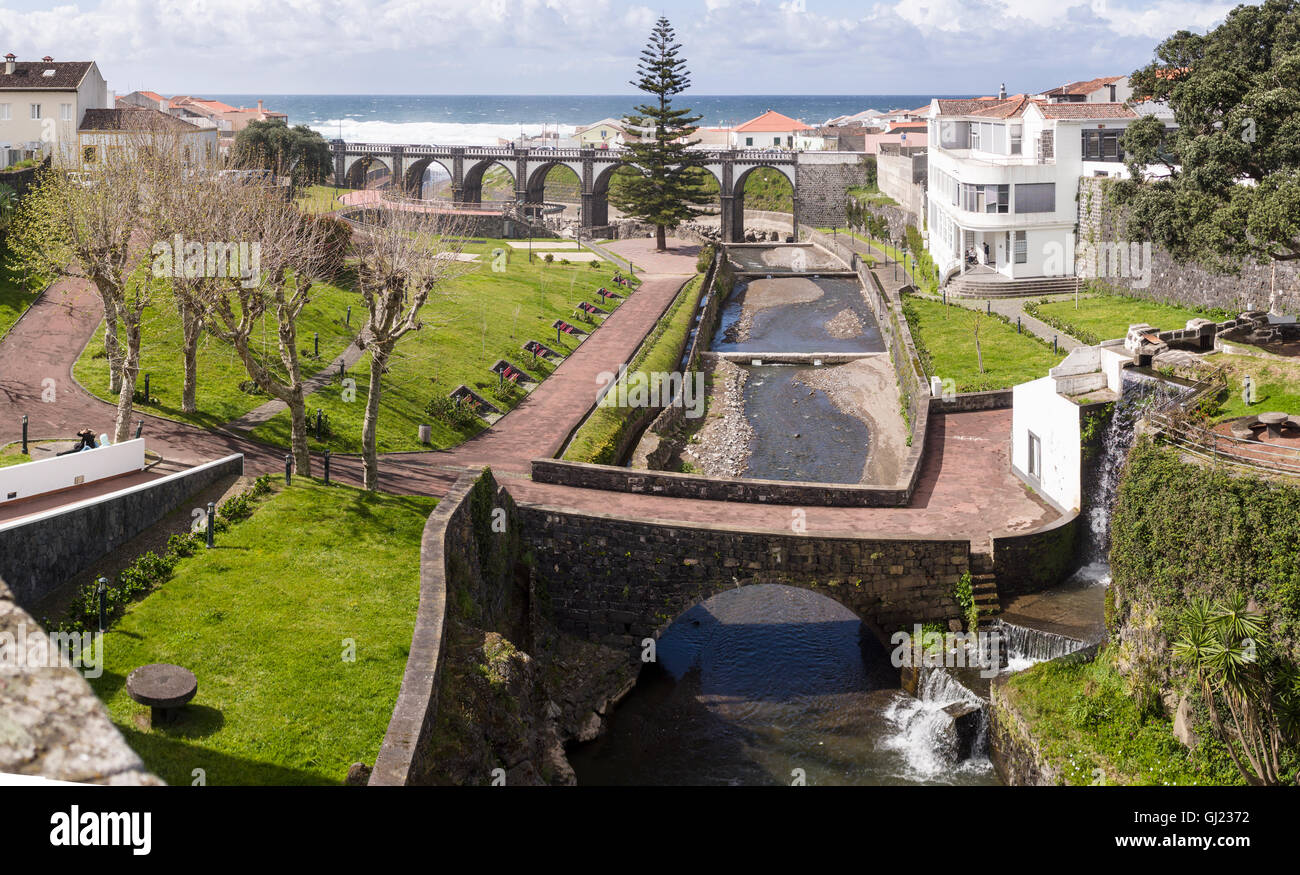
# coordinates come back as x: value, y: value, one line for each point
x: 220, y: 370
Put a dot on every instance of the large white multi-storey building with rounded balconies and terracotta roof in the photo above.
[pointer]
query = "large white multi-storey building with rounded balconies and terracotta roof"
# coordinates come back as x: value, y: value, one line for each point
x: 1003, y: 179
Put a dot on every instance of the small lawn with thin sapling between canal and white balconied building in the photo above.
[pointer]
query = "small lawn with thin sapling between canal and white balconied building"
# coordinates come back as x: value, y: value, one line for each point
x: 946, y: 339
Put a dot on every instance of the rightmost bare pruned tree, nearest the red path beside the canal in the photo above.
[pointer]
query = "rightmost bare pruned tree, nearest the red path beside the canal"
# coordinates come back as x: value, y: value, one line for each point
x: 402, y: 259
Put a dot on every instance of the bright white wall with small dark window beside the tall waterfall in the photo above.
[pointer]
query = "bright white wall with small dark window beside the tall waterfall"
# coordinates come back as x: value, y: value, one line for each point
x: 1037, y: 408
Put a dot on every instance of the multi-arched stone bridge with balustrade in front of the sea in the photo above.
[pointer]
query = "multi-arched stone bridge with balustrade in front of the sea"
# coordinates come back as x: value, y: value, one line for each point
x: 820, y: 180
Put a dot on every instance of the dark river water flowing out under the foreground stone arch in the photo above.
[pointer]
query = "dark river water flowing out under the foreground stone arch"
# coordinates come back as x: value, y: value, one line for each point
x: 769, y: 685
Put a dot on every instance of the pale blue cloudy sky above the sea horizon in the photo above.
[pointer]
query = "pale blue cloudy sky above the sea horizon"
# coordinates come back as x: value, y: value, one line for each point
x: 592, y: 46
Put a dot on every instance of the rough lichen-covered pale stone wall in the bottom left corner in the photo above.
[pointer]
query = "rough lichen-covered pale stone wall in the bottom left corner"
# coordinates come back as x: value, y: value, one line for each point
x: 51, y: 722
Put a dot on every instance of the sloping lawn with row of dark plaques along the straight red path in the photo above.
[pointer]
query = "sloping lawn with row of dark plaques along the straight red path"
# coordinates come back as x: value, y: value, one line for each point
x: 486, y: 317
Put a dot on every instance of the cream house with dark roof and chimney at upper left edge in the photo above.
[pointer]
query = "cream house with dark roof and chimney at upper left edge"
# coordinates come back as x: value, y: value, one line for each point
x: 42, y: 105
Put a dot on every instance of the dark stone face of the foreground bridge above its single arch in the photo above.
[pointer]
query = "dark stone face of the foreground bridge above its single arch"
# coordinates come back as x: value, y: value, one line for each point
x: 619, y: 582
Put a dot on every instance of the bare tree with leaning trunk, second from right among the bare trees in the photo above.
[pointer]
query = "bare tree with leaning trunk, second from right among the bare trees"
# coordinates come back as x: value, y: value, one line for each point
x: 289, y: 259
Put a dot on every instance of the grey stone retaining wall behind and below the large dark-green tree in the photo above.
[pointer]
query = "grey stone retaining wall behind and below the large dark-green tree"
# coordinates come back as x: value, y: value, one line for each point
x: 1185, y: 283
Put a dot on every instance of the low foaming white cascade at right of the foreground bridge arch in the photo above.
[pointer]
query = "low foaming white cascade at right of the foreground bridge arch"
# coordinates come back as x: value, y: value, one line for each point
x: 943, y: 730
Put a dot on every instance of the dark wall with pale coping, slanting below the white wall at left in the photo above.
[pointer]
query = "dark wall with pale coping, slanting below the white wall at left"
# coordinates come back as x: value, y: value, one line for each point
x: 37, y: 556
